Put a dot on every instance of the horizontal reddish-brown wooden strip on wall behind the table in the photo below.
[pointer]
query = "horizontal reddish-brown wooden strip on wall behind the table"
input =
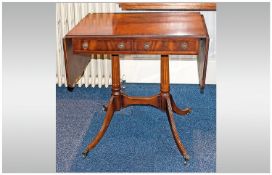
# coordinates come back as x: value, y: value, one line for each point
x: 169, y: 6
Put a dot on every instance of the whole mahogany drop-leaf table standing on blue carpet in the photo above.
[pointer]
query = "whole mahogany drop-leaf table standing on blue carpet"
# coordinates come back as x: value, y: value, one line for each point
x: 160, y: 33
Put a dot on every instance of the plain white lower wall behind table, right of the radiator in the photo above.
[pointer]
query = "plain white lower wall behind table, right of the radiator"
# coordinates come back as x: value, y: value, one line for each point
x: 136, y: 70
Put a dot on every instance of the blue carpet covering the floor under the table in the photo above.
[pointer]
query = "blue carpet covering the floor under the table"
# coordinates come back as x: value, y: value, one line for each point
x: 139, y: 138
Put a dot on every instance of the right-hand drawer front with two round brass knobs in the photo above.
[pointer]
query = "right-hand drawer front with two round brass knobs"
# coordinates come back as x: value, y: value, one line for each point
x: 189, y: 46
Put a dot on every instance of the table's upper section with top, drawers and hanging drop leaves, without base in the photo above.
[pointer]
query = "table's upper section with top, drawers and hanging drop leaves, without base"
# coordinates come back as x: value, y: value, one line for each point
x: 163, y: 33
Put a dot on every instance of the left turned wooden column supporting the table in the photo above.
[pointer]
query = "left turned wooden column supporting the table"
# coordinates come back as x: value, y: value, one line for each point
x: 116, y: 86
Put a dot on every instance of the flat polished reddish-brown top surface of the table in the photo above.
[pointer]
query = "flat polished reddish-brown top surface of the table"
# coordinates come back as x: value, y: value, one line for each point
x: 176, y: 24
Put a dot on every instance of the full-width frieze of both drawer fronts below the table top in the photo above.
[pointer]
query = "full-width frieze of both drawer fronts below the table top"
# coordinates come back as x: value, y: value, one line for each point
x: 137, y: 46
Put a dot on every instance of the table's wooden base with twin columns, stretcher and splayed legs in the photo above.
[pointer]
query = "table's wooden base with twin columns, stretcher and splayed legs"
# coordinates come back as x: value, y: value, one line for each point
x: 163, y: 101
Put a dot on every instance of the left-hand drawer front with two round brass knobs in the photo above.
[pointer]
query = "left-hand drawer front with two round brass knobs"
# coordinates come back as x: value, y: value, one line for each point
x: 102, y: 45
